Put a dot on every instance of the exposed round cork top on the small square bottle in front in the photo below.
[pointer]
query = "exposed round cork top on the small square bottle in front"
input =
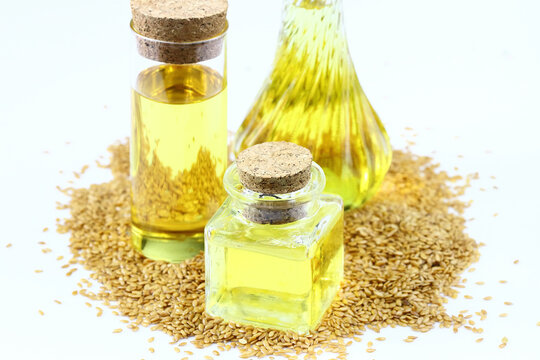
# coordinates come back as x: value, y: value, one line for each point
x: 275, y: 167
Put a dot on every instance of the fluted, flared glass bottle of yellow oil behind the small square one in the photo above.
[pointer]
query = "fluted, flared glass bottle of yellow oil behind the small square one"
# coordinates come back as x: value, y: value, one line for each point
x: 313, y: 98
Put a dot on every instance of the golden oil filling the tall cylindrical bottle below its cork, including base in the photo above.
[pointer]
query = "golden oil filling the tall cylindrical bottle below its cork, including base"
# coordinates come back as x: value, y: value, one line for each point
x: 178, y: 157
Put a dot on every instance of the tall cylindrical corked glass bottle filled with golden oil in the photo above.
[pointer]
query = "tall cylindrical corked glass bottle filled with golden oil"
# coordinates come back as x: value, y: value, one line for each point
x: 179, y: 135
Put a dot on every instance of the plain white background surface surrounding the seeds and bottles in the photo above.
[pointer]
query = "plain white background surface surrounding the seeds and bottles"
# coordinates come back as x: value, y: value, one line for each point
x: 465, y: 69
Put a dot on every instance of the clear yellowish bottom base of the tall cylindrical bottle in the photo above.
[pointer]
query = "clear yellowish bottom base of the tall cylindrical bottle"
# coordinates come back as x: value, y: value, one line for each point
x: 170, y: 247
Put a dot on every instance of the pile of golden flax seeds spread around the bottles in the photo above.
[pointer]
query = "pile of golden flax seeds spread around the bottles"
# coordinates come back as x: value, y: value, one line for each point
x: 405, y: 251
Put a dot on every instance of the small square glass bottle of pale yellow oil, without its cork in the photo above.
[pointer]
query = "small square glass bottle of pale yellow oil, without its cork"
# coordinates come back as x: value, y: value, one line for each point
x: 275, y: 276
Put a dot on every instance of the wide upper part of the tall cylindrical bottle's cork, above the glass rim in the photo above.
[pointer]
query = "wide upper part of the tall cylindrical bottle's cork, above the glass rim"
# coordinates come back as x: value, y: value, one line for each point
x: 179, y: 20
